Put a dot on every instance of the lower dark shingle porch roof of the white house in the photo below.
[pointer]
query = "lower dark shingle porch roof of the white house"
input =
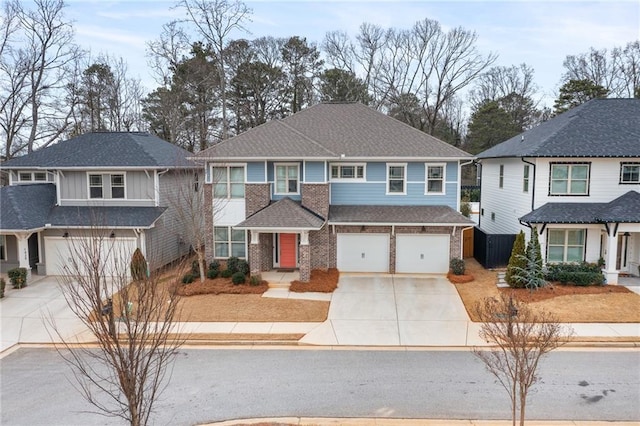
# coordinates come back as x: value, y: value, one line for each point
x: 624, y: 209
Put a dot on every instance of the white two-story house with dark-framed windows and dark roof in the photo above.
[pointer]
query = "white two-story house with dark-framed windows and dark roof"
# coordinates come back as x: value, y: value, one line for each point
x: 576, y: 178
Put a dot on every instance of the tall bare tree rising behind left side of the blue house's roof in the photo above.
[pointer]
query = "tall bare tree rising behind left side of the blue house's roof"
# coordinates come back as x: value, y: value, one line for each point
x: 214, y: 21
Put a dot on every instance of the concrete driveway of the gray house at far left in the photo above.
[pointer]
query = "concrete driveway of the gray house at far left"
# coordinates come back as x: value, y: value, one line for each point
x: 24, y: 314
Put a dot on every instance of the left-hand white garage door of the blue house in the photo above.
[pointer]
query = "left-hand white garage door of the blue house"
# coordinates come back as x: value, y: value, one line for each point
x: 363, y: 252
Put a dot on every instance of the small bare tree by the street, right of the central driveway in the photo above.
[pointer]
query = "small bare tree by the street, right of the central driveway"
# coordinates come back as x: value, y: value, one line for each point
x: 520, y: 337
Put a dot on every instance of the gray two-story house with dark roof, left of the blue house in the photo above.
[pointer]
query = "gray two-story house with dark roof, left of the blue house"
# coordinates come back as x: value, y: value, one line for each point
x: 116, y: 182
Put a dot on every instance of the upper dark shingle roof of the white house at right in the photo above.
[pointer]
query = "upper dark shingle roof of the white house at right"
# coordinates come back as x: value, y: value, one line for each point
x: 597, y: 128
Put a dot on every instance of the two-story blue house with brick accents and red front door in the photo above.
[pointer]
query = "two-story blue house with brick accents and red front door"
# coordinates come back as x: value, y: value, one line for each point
x: 335, y: 185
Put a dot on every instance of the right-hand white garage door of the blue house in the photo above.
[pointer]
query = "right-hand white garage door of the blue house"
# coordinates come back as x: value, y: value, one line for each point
x: 423, y: 254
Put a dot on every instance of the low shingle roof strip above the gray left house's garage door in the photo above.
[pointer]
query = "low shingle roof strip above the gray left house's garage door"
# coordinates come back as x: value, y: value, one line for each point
x: 110, y: 217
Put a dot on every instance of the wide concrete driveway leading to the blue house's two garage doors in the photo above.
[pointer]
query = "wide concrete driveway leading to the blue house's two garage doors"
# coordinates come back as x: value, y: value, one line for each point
x: 392, y: 310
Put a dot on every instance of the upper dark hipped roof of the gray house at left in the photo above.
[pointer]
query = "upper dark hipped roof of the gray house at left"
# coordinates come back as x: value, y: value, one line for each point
x: 105, y: 149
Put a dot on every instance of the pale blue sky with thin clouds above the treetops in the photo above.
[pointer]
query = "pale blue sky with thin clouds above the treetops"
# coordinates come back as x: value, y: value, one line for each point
x: 538, y: 33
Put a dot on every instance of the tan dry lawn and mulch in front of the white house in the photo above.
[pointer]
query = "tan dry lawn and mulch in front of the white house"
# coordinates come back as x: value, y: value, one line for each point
x: 615, y: 304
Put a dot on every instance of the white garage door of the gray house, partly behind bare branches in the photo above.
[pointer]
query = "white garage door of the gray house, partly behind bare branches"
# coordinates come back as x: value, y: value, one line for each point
x: 59, y: 250
